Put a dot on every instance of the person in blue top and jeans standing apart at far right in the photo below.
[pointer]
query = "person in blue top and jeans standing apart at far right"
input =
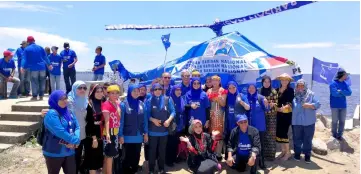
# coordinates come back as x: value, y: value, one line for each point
x: 339, y: 90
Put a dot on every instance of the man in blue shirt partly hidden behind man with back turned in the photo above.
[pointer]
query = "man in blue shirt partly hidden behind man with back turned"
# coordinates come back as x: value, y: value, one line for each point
x: 24, y: 89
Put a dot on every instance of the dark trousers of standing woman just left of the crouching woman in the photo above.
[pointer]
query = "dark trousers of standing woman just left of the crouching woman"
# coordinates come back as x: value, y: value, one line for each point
x: 157, y: 144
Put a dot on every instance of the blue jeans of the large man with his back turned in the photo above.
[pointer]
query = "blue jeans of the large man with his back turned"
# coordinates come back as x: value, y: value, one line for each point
x: 38, y: 83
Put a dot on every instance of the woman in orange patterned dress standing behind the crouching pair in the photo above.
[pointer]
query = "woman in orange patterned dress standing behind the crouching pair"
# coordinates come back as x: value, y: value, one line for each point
x: 217, y: 95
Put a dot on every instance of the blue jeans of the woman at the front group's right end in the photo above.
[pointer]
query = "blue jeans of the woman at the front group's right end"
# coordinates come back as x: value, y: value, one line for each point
x: 302, y: 139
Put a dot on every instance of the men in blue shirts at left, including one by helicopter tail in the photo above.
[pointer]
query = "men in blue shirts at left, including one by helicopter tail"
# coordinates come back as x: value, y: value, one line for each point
x: 39, y: 69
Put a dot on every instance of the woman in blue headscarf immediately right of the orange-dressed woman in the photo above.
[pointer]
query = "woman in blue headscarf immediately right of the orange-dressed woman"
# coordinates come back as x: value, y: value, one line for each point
x: 236, y: 103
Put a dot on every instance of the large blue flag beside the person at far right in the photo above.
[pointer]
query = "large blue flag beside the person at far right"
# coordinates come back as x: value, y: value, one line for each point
x: 324, y: 72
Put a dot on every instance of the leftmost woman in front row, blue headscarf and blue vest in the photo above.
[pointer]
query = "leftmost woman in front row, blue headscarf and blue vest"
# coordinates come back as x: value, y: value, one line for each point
x: 61, y: 135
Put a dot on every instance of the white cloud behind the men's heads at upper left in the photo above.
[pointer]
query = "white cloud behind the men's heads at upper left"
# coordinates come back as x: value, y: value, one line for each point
x: 12, y: 37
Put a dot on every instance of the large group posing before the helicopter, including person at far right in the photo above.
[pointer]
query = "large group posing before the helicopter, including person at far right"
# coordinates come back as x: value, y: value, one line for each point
x: 200, y: 124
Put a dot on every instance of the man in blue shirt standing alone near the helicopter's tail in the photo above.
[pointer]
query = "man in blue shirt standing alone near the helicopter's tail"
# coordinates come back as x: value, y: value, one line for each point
x: 99, y: 63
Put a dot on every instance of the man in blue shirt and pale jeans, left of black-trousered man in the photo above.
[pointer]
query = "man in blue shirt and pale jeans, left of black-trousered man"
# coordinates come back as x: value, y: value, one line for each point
x: 55, y: 61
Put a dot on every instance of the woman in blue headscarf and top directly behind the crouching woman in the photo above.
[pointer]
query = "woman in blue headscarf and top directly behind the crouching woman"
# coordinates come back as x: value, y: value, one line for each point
x: 196, y: 99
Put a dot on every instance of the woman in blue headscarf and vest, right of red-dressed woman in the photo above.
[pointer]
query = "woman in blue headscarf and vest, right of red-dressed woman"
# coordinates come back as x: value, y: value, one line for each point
x: 133, y: 129
